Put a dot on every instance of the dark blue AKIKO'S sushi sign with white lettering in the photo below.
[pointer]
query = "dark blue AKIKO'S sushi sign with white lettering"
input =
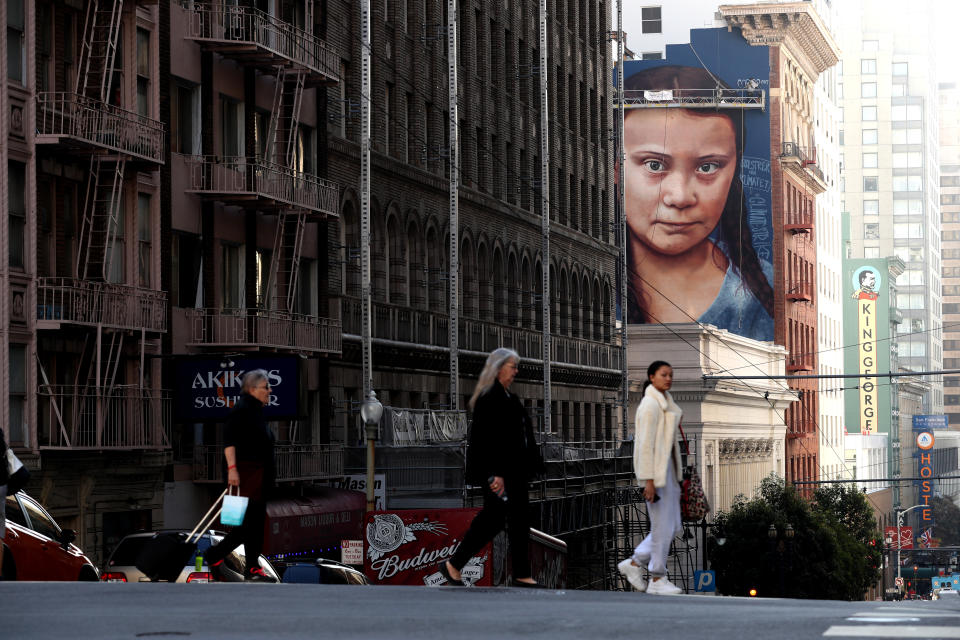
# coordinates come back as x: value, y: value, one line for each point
x: 207, y: 391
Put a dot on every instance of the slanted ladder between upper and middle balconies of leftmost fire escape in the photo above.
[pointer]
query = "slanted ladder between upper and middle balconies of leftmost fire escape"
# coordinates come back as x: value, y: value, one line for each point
x: 101, y: 211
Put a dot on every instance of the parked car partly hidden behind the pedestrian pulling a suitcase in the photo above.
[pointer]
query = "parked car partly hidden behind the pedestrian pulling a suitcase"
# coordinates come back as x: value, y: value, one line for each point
x: 121, y: 565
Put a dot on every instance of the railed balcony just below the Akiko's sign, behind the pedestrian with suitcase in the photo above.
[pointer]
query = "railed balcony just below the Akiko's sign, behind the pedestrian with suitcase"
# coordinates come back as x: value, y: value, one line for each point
x: 294, y: 462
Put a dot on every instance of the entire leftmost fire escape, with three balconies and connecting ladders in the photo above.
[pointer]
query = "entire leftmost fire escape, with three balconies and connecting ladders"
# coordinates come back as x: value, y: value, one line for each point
x: 115, y: 321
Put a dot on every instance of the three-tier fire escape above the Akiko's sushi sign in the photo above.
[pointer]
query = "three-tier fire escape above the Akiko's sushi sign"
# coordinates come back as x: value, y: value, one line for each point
x: 270, y: 182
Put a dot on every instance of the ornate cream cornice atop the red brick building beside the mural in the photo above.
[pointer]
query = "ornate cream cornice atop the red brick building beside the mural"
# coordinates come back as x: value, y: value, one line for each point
x: 793, y: 24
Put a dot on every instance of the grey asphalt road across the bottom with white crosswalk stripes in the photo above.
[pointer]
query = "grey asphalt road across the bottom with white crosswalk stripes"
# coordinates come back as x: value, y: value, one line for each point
x: 242, y: 611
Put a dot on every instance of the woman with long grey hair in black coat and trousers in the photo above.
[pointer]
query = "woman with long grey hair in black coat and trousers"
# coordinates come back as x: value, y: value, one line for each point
x: 502, y: 457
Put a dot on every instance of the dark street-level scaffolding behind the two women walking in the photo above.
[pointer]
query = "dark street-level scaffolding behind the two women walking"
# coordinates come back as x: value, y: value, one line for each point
x: 588, y: 496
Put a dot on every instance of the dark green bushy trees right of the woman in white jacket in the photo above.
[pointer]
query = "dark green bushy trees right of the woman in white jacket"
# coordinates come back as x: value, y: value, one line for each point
x: 830, y: 555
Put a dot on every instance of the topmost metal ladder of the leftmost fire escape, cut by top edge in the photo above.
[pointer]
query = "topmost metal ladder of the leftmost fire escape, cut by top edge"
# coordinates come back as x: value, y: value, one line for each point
x: 98, y: 50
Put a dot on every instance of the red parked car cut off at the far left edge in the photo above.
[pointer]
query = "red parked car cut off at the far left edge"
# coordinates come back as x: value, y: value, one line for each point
x: 36, y: 548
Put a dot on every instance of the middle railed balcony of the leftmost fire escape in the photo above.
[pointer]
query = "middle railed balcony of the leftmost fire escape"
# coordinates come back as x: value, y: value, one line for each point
x: 66, y: 301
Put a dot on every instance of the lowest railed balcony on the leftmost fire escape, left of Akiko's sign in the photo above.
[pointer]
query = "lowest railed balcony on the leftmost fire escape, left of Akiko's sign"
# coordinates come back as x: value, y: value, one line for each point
x: 121, y: 418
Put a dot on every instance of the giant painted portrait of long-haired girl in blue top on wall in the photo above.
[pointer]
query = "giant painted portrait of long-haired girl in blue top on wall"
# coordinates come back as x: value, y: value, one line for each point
x: 691, y: 257
